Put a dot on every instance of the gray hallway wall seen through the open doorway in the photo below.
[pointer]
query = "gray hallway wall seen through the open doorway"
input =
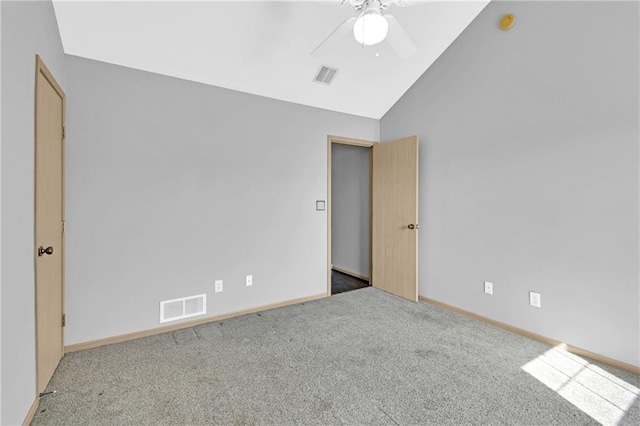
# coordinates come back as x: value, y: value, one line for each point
x: 350, y: 208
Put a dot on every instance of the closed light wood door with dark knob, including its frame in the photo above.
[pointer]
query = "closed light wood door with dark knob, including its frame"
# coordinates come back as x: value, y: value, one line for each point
x: 49, y: 216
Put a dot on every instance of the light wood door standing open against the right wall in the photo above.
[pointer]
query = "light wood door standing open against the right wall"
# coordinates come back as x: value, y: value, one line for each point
x: 394, y: 257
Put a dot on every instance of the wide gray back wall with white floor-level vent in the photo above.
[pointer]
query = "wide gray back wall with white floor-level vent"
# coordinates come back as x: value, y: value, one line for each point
x: 172, y: 185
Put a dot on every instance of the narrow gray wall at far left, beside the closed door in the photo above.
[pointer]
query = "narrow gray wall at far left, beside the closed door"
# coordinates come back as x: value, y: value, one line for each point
x: 27, y: 28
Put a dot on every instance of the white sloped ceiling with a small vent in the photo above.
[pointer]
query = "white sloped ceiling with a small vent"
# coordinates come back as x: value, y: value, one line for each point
x: 263, y: 47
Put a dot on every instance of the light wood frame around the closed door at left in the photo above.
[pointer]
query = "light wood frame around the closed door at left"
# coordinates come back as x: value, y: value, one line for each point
x: 41, y: 69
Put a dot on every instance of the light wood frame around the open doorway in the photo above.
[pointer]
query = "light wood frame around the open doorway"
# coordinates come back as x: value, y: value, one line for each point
x: 354, y: 142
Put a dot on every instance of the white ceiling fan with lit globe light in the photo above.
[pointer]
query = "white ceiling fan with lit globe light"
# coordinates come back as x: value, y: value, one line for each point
x: 370, y: 27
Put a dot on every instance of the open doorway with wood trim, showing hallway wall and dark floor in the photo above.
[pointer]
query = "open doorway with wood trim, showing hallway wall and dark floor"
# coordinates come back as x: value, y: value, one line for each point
x: 349, y: 214
